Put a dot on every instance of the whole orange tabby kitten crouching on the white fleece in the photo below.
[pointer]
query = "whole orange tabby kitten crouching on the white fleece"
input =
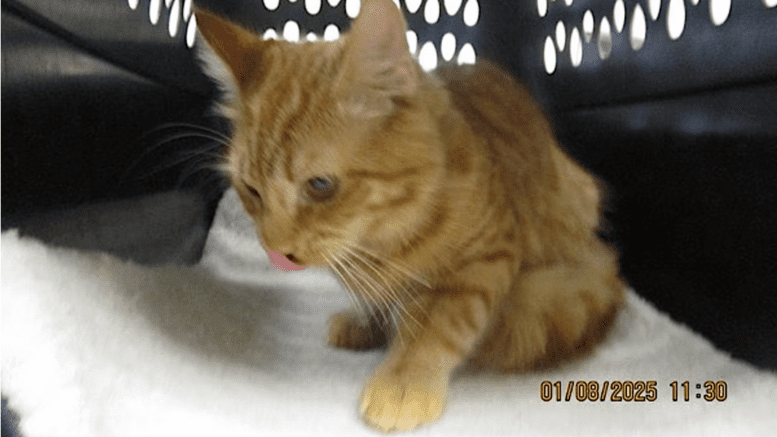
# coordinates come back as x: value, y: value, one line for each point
x: 442, y: 201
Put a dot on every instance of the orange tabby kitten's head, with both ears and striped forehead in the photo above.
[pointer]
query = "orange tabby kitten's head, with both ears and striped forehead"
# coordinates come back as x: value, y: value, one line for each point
x: 332, y: 149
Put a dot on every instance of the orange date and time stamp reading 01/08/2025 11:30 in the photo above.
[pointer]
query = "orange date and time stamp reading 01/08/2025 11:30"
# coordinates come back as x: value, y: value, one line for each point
x: 630, y: 391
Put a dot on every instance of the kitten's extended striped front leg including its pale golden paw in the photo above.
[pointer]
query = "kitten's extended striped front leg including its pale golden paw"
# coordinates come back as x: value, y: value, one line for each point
x: 410, y: 387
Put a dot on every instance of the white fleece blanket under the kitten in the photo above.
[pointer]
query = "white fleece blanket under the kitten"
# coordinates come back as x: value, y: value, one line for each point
x: 95, y: 346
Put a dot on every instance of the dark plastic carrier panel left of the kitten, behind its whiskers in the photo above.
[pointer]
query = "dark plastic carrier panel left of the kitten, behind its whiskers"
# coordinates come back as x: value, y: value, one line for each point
x: 75, y: 125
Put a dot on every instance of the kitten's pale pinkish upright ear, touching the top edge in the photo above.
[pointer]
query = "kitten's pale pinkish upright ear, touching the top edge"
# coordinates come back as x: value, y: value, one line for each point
x: 379, y: 63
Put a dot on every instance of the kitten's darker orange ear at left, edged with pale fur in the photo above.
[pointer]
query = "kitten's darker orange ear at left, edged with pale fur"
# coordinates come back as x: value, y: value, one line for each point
x: 238, y: 48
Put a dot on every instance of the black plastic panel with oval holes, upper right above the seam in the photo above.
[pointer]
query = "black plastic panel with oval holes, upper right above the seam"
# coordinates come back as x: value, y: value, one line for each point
x: 743, y: 50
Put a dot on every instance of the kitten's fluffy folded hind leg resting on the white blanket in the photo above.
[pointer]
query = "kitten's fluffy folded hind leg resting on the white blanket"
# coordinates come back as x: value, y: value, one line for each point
x: 555, y: 313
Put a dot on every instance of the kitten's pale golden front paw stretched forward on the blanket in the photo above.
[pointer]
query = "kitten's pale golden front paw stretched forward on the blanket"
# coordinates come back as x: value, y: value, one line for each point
x: 392, y: 402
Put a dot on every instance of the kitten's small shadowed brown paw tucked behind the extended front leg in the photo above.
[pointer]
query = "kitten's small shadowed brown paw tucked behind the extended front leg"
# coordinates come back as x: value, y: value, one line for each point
x: 348, y: 331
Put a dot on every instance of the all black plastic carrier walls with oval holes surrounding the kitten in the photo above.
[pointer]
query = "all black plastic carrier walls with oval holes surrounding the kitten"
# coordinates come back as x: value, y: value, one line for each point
x: 110, y: 142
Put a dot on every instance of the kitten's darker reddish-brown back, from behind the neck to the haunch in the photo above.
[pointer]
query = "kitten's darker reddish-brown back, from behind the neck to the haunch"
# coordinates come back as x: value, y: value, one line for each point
x: 556, y: 202
